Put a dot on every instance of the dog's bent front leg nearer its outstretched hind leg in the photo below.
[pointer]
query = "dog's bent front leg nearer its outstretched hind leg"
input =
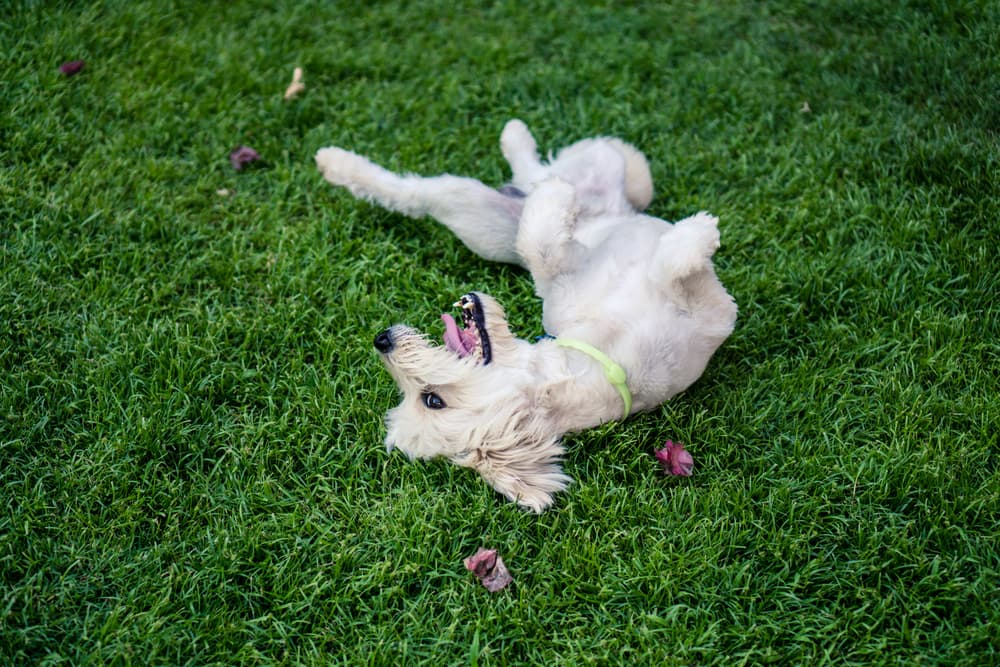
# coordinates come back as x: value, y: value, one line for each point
x: 545, y: 238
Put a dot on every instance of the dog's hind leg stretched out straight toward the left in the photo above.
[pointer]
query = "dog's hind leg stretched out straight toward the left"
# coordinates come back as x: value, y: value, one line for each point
x: 485, y: 220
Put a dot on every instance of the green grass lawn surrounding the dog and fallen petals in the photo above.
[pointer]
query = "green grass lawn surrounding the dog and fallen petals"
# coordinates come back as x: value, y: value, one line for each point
x: 191, y: 410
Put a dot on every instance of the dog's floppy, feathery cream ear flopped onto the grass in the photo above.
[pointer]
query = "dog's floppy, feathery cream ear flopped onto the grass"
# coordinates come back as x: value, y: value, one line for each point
x: 526, y: 469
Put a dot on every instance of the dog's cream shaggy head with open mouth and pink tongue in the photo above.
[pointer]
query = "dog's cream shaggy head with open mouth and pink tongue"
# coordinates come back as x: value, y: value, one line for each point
x: 473, y: 401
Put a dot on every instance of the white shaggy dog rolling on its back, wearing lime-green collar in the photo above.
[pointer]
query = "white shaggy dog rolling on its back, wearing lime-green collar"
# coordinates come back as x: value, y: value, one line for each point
x: 632, y: 305
